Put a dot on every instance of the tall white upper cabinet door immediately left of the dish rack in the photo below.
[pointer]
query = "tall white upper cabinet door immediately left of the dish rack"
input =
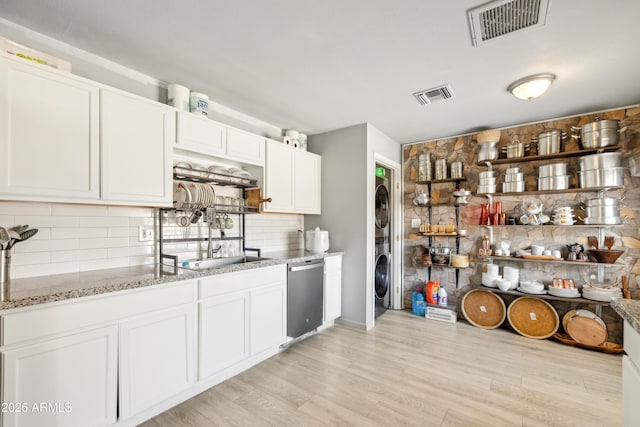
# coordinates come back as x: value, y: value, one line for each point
x: 137, y: 136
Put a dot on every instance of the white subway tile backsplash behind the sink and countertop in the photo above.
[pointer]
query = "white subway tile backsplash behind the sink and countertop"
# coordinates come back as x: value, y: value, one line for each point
x: 73, y: 238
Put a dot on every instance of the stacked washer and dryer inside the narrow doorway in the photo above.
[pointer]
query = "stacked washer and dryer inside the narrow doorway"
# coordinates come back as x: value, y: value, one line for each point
x: 383, y: 221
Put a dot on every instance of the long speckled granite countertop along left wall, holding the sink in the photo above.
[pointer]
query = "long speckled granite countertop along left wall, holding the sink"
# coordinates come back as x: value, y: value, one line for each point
x: 39, y: 290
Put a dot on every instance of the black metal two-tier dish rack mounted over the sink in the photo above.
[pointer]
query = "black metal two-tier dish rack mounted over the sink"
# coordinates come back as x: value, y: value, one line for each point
x: 210, y: 212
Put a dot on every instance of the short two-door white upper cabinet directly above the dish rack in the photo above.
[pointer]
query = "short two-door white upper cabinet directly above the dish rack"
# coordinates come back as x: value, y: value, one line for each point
x: 204, y: 136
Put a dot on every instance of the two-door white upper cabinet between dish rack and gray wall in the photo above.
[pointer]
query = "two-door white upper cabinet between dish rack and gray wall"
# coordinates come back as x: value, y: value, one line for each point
x: 292, y: 180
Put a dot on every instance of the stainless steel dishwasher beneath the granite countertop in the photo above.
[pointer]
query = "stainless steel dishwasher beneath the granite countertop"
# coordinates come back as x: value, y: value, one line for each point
x: 304, y: 297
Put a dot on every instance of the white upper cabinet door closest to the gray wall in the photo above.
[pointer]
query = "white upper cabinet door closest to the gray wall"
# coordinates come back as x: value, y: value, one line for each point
x: 306, y: 182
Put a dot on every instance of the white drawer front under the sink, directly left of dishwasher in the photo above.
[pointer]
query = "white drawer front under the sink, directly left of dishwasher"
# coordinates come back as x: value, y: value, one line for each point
x: 241, y: 280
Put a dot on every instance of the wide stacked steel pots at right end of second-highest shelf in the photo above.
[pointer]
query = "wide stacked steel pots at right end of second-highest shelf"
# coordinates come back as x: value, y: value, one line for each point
x: 601, y: 170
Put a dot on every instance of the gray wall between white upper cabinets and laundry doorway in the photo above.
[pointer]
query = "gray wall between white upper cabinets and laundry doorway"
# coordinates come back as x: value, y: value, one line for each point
x: 348, y: 178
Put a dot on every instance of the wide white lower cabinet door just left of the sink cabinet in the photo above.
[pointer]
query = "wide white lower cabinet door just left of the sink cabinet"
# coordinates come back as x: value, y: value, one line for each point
x: 157, y: 358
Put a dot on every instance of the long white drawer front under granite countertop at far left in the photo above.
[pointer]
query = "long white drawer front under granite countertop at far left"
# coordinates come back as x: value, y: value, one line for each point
x: 51, y: 319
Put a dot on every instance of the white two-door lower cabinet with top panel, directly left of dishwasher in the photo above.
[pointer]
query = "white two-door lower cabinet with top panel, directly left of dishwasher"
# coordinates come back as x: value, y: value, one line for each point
x: 242, y: 318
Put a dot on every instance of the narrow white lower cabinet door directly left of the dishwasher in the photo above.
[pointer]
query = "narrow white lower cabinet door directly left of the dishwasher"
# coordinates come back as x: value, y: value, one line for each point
x: 268, y: 317
